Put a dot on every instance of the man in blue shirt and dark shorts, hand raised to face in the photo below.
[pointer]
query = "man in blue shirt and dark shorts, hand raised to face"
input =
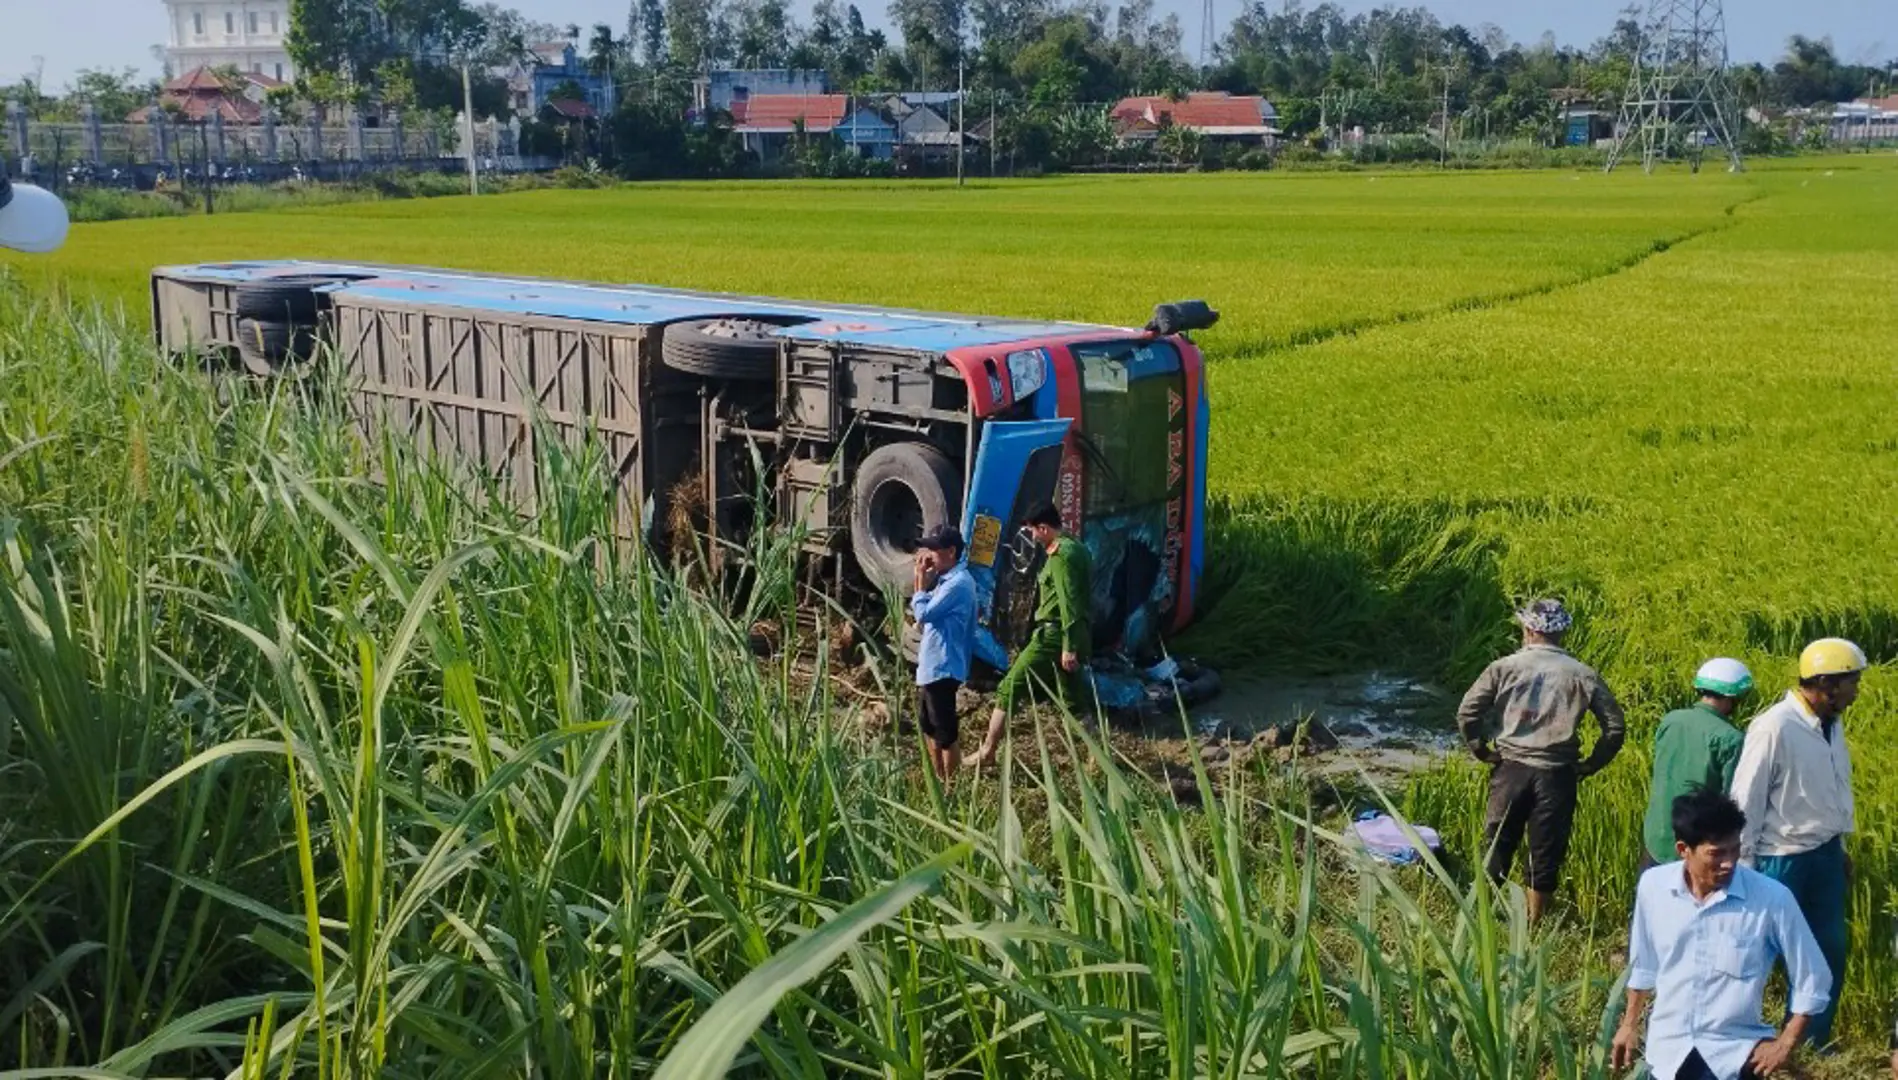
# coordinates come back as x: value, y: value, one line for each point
x: 944, y: 605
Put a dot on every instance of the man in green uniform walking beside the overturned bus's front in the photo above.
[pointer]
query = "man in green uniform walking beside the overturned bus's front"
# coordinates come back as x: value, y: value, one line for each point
x: 1060, y: 642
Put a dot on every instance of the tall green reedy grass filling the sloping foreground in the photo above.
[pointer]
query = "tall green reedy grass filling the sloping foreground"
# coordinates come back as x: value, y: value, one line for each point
x: 320, y: 777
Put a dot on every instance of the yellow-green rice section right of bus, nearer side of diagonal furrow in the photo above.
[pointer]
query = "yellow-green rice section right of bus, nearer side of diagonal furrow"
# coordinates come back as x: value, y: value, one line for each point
x: 1702, y: 472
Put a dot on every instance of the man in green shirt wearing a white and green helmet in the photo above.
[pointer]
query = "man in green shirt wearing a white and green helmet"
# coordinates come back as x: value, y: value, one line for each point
x: 1696, y: 749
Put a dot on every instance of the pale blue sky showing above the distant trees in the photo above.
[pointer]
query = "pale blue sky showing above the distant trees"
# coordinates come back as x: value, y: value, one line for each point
x: 54, y: 41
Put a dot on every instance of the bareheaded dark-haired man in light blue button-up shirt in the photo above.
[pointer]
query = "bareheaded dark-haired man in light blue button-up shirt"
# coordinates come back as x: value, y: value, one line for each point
x: 1702, y: 948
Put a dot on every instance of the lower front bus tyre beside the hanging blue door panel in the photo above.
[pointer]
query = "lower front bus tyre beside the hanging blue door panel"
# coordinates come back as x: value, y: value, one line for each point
x: 901, y: 493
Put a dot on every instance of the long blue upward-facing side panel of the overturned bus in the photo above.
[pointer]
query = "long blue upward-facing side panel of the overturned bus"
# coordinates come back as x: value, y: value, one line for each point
x: 646, y: 305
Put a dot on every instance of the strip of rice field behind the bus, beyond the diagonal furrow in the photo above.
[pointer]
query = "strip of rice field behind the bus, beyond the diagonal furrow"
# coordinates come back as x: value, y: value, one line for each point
x: 1284, y: 257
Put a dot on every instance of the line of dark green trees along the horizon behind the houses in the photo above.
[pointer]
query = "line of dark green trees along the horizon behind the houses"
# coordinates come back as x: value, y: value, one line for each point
x: 1047, y: 67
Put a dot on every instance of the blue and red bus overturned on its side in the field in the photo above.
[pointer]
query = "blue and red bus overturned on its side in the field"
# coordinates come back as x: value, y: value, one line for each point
x: 863, y: 426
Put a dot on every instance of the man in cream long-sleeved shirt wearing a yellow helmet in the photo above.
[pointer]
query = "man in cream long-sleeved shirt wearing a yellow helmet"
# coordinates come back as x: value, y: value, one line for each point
x: 1795, y: 785
